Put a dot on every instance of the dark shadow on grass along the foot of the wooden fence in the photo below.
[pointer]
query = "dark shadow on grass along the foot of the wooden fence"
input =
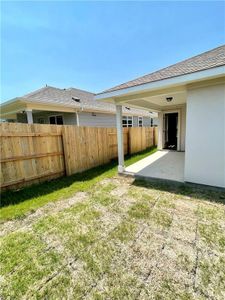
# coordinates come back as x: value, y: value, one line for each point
x: 13, y: 197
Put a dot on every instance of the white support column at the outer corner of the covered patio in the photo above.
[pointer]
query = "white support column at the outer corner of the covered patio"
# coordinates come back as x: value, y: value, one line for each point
x: 120, y: 138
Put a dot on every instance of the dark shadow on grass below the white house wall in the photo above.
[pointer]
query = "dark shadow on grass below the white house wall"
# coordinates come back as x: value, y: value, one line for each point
x: 193, y: 191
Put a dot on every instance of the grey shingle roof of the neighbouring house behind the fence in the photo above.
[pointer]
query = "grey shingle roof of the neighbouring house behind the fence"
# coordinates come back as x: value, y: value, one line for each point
x: 54, y: 96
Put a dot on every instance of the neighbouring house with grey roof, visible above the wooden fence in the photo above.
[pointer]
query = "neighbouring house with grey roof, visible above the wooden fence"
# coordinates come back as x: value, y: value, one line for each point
x: 50, y: 105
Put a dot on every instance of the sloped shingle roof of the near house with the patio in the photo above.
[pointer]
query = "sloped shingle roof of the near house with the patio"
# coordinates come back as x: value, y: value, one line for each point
x: 207, y: 60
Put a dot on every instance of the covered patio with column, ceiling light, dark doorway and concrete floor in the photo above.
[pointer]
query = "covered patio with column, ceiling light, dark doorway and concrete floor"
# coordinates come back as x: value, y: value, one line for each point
x: 168, y: 162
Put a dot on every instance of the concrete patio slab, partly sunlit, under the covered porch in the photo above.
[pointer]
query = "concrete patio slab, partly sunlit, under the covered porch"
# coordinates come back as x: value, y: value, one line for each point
x: 163, y: 164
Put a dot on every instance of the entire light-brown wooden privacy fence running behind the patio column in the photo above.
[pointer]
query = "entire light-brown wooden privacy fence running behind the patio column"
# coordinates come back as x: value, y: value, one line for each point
x: 39, y: 152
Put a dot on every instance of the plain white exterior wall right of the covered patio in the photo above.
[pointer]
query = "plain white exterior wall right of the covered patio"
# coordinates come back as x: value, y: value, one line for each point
x: 205, y: 136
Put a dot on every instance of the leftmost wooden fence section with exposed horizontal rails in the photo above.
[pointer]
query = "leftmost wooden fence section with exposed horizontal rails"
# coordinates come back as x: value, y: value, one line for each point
x: 30, y: 153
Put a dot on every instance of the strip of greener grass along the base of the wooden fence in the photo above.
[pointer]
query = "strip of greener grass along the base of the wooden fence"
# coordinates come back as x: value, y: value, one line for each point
x: 16, y: 204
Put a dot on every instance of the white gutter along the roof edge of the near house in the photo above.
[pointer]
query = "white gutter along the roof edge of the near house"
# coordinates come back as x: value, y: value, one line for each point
x: 179, y: 80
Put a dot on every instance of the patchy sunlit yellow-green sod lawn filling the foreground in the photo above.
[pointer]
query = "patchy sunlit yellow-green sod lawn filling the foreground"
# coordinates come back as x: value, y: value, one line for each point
x: 117, y: 239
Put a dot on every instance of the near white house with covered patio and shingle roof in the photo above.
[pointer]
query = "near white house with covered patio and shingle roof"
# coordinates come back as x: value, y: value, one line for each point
x: 189, y: 98
